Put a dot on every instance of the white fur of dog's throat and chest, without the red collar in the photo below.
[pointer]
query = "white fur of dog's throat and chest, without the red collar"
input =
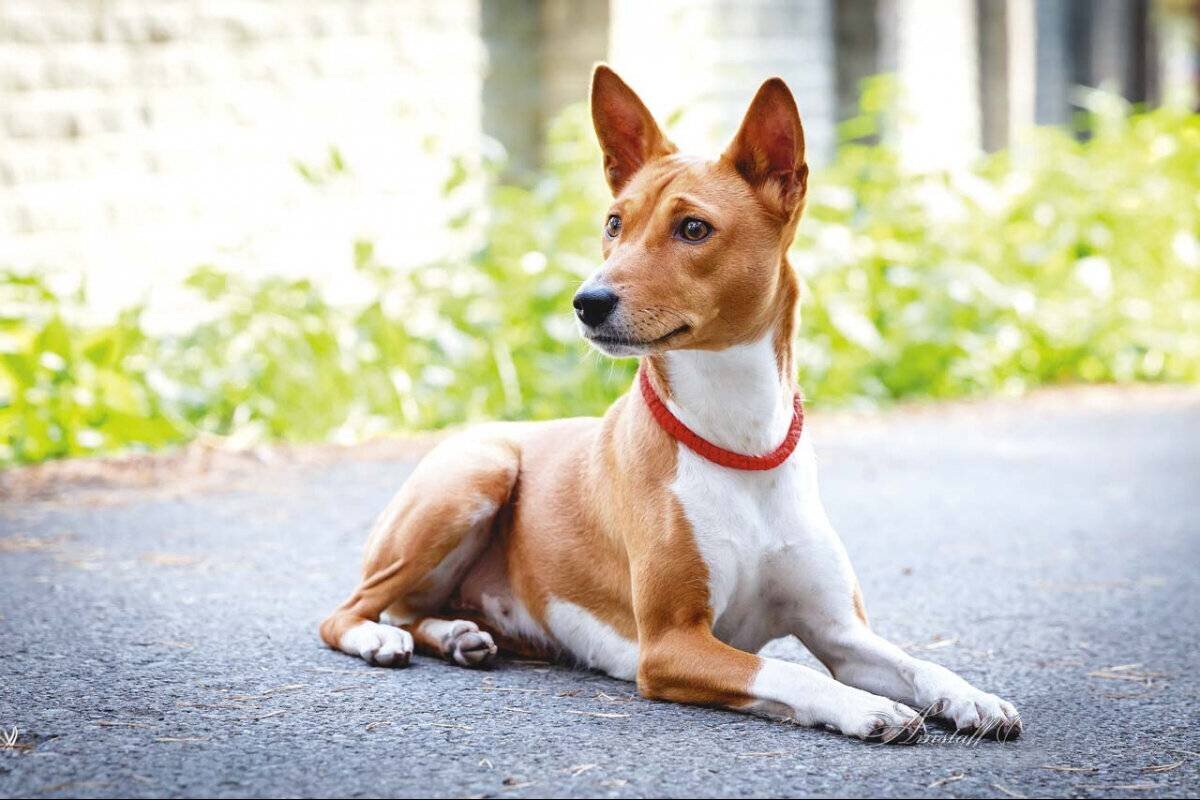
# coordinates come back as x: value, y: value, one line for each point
x: 764, y: 536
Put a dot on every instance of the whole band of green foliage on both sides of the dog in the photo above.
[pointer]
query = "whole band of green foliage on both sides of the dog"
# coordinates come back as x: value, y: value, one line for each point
x: 1059, y: 261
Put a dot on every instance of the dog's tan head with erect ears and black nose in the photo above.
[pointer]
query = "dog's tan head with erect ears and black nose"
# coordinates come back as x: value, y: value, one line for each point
x: 695, y: 250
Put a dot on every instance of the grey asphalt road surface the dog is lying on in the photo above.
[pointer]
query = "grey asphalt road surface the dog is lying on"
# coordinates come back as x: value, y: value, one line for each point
x: 163, y: 641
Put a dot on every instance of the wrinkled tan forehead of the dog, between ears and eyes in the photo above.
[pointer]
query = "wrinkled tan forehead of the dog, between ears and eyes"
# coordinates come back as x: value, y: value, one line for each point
x: 679, y: 179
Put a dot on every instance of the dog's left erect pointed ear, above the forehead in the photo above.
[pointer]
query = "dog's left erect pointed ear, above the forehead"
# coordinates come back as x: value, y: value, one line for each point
x: 629, y: 136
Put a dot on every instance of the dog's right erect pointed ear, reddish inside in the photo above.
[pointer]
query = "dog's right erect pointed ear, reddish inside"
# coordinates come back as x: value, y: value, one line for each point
x: 769, y: 151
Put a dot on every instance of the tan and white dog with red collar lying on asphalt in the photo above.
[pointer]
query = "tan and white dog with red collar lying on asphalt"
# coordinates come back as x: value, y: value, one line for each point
x: 670, y: 540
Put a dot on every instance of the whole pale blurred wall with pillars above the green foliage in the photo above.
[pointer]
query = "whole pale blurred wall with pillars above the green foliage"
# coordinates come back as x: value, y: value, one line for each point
x: 140, y: 139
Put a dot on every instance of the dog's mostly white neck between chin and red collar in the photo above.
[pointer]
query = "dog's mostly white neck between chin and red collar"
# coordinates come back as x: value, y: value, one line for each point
x: 740, y: 399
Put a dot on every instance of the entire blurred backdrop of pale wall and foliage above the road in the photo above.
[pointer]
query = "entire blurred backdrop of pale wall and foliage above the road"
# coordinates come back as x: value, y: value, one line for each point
x: 326, y: 220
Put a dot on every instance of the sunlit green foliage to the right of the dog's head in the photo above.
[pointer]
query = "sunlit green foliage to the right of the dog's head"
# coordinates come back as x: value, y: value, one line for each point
x: 1058, y: 261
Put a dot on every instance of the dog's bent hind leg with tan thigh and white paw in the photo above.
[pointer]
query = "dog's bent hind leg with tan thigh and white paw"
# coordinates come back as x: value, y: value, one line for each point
x: 422, y: 546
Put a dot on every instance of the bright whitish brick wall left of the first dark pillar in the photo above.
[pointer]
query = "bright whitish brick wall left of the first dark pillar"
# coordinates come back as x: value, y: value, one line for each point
x: 142, y: 137
